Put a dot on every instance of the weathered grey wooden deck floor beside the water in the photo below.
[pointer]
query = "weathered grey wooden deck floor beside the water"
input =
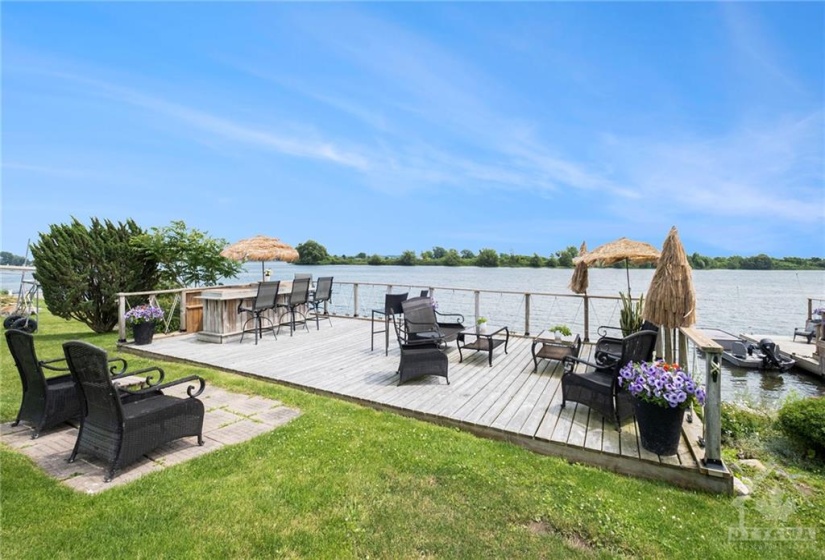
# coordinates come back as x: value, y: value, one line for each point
x: 506, y: 401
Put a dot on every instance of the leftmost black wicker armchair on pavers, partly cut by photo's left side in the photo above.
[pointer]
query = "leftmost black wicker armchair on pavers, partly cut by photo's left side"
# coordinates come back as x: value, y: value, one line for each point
x: 48, y: 401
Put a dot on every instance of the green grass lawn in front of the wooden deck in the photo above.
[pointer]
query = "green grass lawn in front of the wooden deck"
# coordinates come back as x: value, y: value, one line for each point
x: 343, y: 481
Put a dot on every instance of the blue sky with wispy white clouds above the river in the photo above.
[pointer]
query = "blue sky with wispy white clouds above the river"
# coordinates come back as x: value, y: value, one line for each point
x: 385, y: 127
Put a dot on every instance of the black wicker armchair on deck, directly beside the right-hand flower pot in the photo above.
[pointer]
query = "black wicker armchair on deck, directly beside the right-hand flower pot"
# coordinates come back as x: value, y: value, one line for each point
x: 598, y: 385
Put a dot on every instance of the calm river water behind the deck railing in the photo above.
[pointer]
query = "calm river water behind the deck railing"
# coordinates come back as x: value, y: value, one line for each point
x: 737, y: 301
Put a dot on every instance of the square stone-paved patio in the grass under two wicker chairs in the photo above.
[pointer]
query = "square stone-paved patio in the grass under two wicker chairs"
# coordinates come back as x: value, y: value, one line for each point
x: 225, y: 423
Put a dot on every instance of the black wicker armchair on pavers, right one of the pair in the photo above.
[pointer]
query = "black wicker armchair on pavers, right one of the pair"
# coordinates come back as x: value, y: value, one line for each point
x: 120, y: 432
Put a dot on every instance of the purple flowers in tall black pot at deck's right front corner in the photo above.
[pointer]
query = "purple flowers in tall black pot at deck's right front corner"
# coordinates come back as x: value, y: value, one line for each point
x: 662, y: 393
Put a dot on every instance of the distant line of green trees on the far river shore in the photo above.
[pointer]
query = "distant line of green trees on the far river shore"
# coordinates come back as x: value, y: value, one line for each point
x: 312, y: 252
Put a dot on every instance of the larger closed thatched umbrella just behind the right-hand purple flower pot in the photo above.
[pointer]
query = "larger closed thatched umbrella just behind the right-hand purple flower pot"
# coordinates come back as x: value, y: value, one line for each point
x: 671, y: 301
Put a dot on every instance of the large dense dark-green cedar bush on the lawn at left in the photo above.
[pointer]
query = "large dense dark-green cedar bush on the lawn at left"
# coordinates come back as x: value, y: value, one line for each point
x: 80, y: 270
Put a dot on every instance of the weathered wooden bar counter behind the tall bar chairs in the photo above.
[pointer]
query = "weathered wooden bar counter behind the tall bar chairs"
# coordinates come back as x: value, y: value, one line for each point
x: 221, y: 320
